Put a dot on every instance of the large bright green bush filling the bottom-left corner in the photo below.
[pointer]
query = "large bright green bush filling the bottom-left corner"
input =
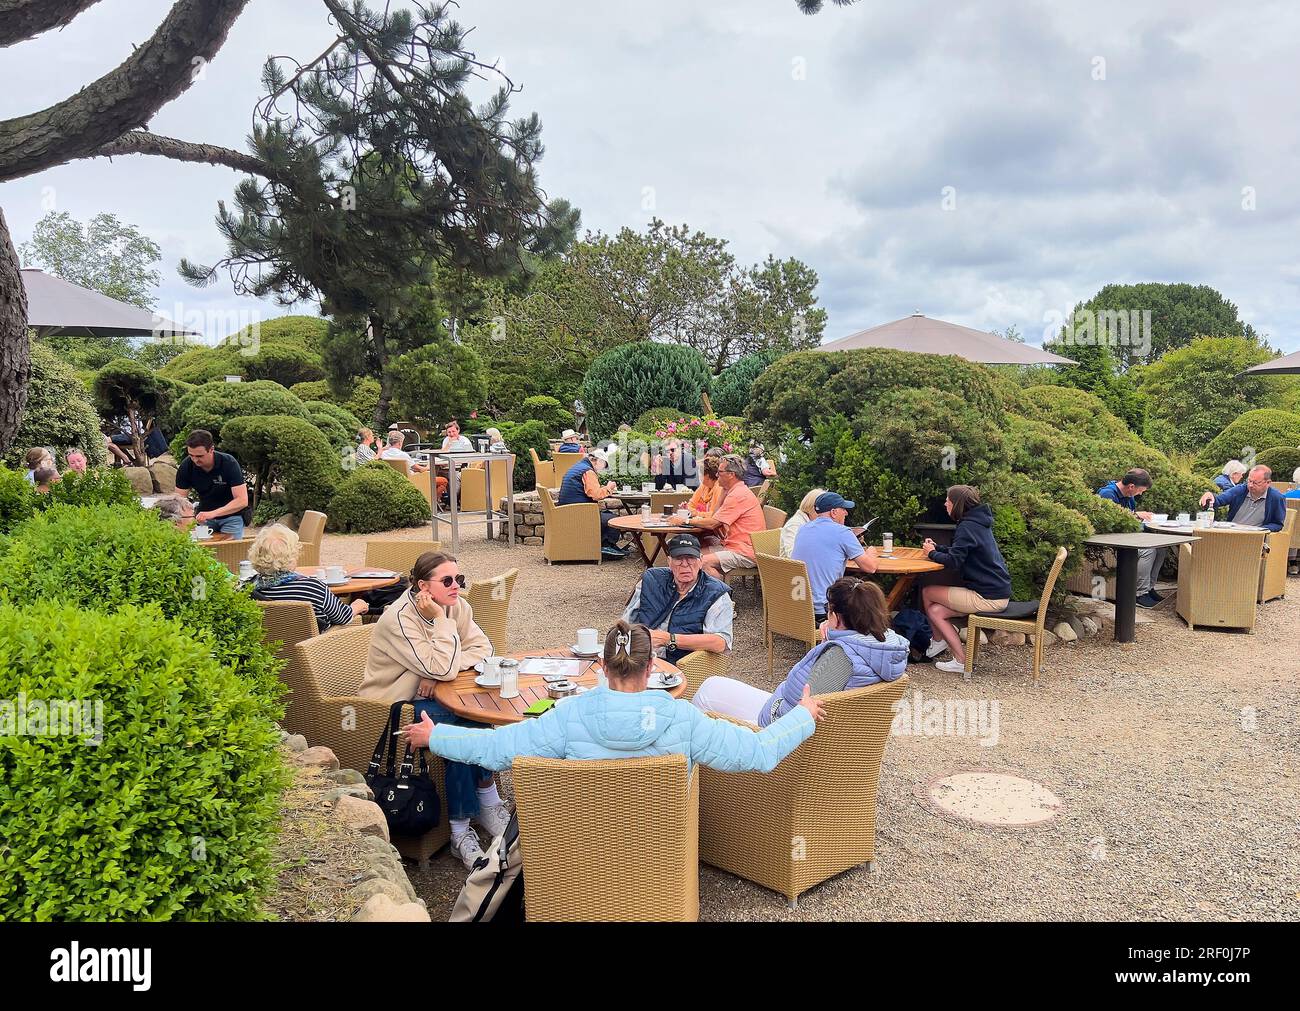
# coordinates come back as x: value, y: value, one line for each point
x: 164, y: 801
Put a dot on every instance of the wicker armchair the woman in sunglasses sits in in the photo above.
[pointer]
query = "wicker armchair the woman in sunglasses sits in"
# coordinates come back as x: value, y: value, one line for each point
x: 327, y: 671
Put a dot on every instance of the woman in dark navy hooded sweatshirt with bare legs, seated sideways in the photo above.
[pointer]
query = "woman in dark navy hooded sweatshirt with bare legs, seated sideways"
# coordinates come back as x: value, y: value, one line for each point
x: 986, y: 584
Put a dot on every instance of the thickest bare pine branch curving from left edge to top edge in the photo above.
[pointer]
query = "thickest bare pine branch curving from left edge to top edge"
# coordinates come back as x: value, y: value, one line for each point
x: 125, y: 98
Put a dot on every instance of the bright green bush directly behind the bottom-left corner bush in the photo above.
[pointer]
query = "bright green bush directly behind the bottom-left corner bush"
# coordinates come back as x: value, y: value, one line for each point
x: 109, y: 558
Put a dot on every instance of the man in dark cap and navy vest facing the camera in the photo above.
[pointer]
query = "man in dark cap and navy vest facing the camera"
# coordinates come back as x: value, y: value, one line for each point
x: 684, y: 609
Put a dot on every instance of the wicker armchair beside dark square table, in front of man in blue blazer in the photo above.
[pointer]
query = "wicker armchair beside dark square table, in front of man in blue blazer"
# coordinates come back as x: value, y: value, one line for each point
x: 1219, y: 579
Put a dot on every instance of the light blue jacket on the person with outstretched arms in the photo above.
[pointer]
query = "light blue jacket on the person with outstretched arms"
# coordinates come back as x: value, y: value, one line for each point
x: 604, y: 724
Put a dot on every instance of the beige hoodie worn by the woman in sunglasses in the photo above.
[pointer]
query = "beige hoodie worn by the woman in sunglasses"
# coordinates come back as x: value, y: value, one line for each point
x: 406, y: 646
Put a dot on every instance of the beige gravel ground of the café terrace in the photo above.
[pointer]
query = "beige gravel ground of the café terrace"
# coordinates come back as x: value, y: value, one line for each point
x: 1176, y: 758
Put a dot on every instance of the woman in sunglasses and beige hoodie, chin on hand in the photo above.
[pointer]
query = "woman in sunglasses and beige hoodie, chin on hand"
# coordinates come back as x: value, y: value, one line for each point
x: 426, y: 637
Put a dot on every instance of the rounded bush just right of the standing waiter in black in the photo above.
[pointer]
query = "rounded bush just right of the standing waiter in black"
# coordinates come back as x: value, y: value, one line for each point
x: 289, y: 452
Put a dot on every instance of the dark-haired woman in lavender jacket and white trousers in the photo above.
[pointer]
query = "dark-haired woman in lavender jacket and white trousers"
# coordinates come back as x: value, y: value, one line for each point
x: 859, y: 649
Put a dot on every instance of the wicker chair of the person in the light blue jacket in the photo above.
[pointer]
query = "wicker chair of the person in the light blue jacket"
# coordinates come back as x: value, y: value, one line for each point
x: 609, y: 840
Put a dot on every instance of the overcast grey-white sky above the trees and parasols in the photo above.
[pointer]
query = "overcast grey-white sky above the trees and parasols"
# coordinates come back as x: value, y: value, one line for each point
x: 1111, y: 142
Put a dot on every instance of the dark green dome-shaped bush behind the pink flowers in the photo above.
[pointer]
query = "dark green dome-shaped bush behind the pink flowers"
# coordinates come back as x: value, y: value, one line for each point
x: 629, y: 380
